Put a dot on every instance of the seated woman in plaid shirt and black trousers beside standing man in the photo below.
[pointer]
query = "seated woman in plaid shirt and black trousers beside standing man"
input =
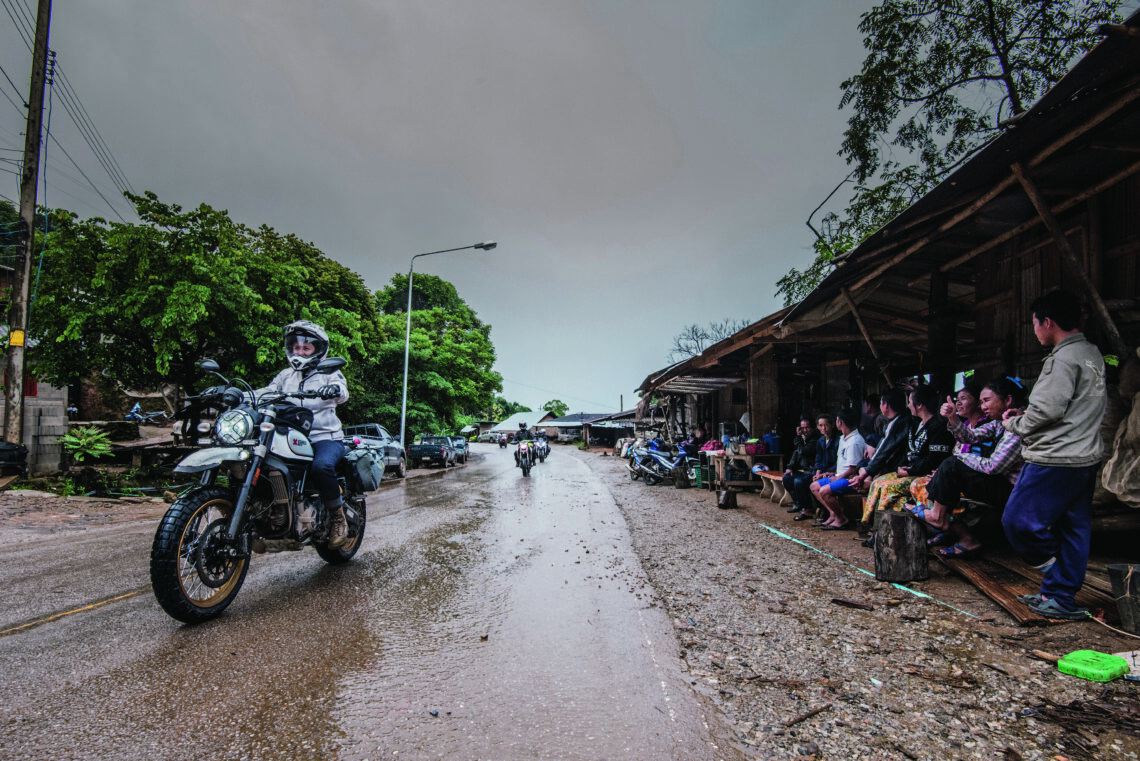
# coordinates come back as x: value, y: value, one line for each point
x: 988, y: 480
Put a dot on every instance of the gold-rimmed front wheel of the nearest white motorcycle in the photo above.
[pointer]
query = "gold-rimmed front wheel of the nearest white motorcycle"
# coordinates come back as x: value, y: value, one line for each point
x: 194, y: 572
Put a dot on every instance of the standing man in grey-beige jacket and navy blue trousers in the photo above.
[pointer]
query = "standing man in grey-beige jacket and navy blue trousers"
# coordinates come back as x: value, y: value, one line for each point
x: 1049, y: 515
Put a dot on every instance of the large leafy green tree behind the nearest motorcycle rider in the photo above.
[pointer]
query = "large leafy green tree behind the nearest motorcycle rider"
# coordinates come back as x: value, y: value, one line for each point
x: 143, y: 304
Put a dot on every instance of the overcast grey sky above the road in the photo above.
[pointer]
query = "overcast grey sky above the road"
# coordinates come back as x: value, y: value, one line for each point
x: 644, y: 165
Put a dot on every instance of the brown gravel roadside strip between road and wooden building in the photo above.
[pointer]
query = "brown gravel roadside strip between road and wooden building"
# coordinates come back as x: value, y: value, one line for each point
x: 799, y: 675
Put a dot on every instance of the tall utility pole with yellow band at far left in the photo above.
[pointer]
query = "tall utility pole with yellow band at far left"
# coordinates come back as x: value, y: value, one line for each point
x: 18, y: 316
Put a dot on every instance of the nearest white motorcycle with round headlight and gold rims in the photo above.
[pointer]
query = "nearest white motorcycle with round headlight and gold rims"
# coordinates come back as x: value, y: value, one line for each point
x: 254, y: 496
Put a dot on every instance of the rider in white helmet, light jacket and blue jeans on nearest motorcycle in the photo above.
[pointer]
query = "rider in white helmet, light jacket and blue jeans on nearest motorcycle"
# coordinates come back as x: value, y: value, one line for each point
x: 306, y: 345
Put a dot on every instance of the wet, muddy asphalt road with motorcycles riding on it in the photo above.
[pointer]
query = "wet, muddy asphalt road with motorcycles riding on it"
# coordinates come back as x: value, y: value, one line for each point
x: 486, y: 617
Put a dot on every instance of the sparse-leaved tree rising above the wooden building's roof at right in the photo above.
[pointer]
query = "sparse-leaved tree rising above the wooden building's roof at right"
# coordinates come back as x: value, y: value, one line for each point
x: 941, y: 79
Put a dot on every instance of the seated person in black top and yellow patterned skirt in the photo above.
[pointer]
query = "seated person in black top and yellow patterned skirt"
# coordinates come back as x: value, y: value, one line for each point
x: 930, y: 443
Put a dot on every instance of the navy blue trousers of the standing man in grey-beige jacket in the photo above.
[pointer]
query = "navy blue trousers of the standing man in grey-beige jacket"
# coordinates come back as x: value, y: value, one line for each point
x: 1051, y: 515
